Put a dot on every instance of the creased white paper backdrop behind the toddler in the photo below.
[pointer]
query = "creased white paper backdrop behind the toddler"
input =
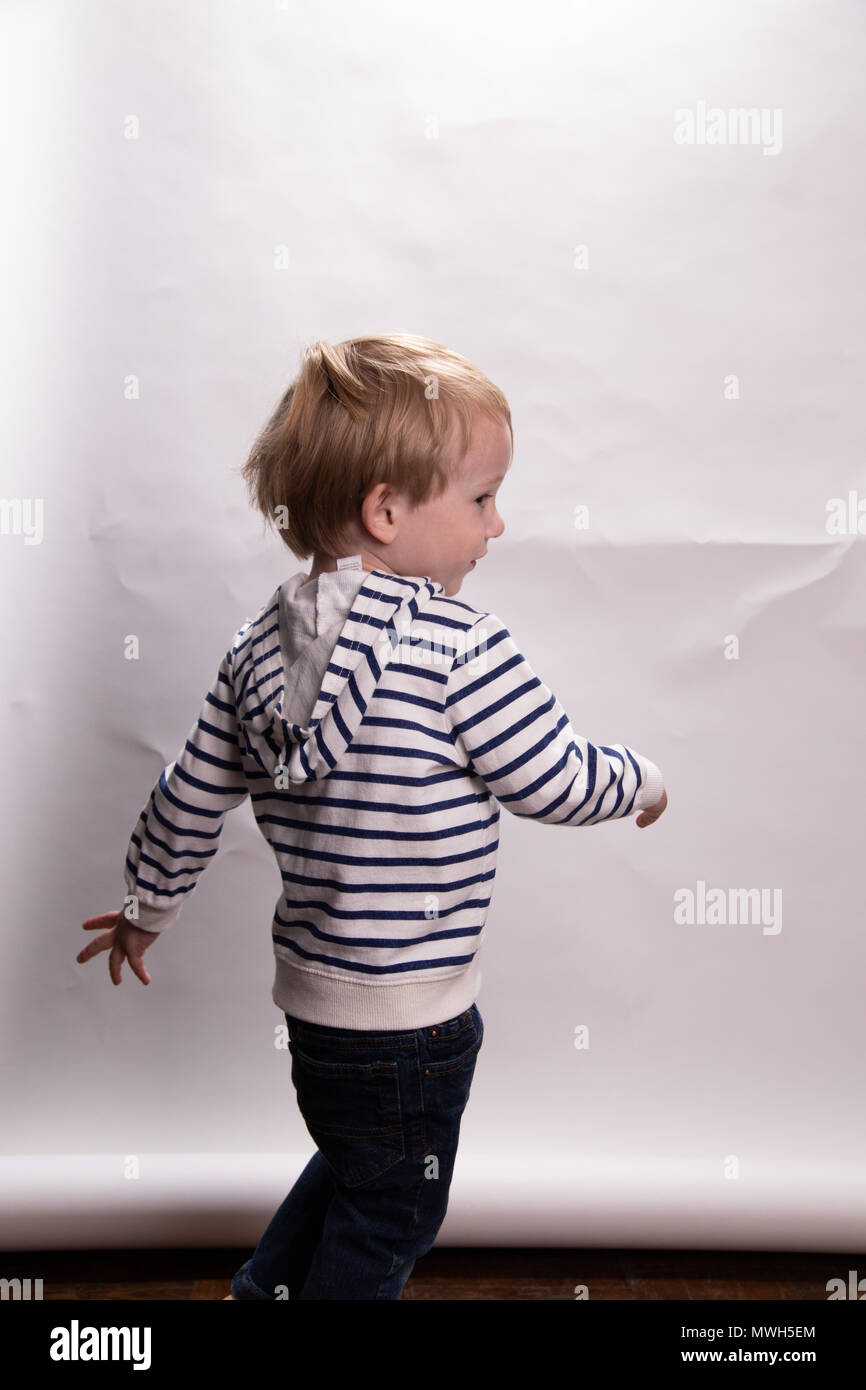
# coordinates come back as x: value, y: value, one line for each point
x: 193, y: 193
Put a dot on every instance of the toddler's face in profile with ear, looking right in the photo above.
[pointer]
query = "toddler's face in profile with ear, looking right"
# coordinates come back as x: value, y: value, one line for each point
x: 444, y: 537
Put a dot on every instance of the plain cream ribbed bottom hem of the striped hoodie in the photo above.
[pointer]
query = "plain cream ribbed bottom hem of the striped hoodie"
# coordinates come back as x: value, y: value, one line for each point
x: 322, y: 999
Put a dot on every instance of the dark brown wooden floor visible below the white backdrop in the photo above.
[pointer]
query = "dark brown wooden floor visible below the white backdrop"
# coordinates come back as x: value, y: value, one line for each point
x: 455, y: 1274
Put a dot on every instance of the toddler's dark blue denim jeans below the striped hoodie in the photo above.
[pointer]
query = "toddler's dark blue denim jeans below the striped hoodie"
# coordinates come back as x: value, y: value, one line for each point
x: 384, y: 1111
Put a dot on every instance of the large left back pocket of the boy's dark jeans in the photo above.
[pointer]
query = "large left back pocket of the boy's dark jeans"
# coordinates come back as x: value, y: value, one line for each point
x: 352, y: 1111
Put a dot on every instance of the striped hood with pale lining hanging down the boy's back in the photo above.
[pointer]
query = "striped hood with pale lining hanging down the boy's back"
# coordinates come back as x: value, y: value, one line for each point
x: 312, y: 660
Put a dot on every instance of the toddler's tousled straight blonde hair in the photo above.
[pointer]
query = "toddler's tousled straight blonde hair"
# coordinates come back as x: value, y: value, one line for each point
x: 368, y: 411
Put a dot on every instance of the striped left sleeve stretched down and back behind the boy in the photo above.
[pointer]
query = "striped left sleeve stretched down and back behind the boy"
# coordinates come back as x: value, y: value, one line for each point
x: 179, y: 832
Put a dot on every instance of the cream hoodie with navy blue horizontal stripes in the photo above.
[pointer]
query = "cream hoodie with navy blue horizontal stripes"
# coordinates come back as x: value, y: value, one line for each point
x: 377, y: 728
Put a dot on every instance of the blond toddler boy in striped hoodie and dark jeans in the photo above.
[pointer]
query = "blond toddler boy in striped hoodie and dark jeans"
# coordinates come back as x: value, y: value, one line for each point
x: 377, y: 722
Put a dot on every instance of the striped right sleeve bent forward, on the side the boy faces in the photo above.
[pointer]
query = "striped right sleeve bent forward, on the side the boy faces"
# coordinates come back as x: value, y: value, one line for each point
x: 516, y: 736
